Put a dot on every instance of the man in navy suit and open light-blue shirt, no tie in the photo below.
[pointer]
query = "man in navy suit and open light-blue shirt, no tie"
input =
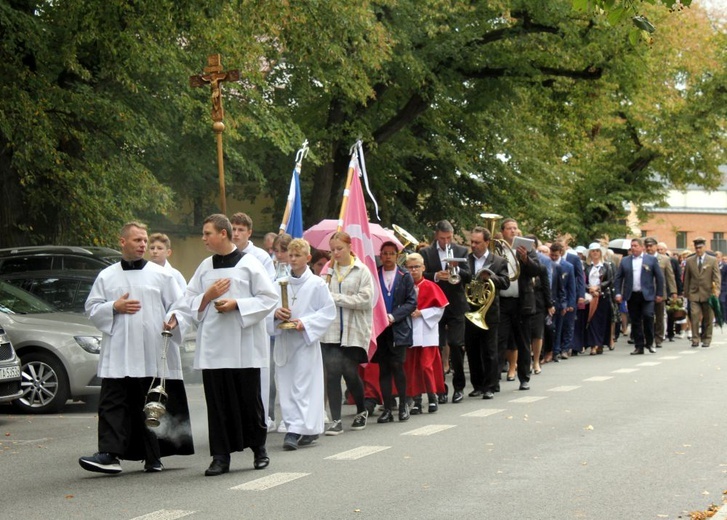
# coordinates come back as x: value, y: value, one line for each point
x: 640, y: 282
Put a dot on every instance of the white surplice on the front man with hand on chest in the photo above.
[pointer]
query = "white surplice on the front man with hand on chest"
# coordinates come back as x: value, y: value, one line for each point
x: 236, y: 339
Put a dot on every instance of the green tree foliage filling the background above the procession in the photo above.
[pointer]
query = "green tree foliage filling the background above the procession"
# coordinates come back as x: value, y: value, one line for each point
x: 556, y: 116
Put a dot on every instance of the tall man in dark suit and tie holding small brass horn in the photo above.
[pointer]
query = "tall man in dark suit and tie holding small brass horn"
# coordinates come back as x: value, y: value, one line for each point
x: 451, y: 326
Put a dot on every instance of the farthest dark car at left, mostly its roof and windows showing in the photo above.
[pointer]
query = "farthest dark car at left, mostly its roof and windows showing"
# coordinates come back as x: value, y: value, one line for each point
x: 56, y: 258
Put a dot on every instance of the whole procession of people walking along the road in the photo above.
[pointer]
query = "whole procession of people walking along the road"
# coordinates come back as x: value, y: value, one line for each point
x: 289, y: 323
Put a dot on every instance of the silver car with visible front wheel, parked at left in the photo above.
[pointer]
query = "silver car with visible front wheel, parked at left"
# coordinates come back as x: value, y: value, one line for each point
x: 58, y: 351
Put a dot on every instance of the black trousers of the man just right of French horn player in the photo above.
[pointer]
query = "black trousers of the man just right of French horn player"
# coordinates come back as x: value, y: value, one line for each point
x: 513, y: 333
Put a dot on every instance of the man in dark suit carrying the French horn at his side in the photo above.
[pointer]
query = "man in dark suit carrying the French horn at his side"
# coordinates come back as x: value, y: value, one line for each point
x: 481, y: 344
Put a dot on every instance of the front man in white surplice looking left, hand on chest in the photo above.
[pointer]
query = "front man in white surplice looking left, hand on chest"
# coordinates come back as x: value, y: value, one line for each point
x: 230, y: 296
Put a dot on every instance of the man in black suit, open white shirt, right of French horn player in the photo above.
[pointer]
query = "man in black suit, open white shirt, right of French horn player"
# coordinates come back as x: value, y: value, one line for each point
x: 517, y: 306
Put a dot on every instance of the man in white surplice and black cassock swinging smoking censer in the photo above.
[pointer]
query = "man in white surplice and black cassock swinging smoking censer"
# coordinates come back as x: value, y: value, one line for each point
x: 130, y: 304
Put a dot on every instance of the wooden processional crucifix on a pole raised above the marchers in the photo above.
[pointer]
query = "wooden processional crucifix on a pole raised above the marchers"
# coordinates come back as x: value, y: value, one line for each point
x: 214, y: 76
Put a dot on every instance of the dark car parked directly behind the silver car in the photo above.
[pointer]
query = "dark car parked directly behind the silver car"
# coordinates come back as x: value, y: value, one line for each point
x: 66, y: 290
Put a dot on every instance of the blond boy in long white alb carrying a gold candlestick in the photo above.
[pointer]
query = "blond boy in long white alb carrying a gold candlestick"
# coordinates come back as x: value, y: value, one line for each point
x: 297, y: 354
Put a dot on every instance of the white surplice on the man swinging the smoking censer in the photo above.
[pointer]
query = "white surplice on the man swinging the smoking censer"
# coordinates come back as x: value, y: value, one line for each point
x: 132, y: 344
